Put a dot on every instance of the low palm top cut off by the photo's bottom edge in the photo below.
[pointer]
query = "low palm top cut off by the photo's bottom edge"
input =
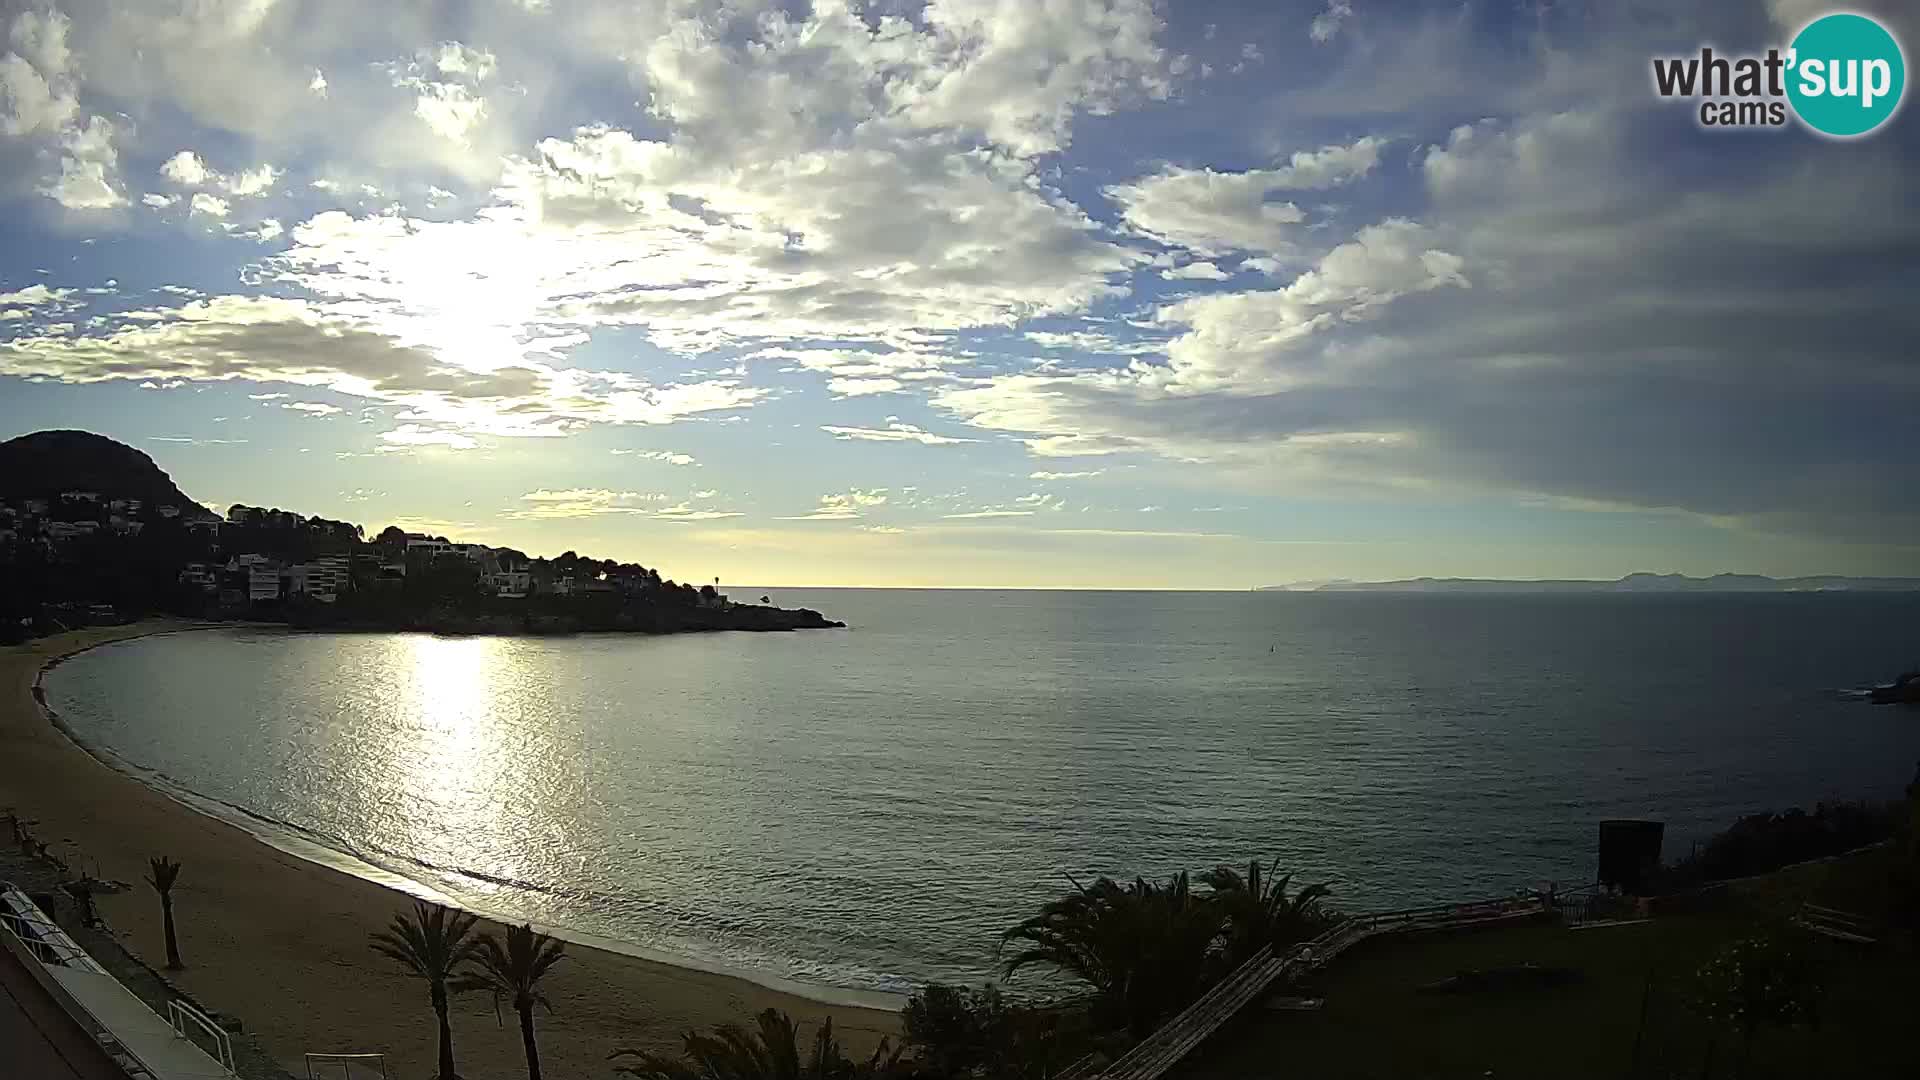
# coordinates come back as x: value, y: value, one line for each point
x: 771, y: 1052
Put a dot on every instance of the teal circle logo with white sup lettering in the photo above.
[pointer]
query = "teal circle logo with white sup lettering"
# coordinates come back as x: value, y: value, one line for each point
x: 1846, y: 76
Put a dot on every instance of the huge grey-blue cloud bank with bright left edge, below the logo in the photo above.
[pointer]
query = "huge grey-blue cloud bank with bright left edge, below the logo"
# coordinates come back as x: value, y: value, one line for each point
x: 1550, y: 331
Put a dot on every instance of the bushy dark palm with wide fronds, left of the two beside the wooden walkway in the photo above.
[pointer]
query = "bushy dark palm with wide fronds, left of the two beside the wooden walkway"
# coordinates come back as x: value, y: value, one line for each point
x: 1145, y: 950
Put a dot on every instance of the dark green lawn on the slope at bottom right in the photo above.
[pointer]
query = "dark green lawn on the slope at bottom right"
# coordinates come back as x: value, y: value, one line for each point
x: 1376, y: 1025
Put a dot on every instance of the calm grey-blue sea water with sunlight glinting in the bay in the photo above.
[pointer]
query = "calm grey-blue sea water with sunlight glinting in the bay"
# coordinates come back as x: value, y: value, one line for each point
x: 871, y: 808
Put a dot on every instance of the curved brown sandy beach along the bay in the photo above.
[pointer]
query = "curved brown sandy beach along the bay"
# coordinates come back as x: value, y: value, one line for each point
x: 281, y: 943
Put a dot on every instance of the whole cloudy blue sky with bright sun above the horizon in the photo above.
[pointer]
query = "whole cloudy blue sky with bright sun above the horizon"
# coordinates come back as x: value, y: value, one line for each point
x: 972, y: 293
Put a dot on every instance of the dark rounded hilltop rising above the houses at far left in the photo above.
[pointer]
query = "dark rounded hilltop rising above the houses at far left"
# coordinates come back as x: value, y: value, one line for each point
x: 51, y: 462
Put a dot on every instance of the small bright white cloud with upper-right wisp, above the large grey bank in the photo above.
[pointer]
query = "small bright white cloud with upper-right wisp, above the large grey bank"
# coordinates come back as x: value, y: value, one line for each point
x: 1216, y: 214
